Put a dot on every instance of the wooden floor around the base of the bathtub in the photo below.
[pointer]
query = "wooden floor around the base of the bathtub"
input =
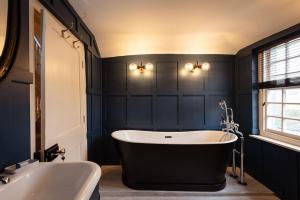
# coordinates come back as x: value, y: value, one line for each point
x: 112, y: 188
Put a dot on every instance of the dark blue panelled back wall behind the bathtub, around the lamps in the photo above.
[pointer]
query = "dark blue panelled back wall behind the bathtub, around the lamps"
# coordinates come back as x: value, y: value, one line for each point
x: 168, y: 98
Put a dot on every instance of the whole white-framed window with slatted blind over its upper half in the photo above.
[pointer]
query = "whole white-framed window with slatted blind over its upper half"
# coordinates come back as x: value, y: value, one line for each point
x: 279, y: 84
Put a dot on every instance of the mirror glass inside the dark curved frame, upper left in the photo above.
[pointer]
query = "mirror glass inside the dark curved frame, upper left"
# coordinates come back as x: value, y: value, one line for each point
x: 3, y: 23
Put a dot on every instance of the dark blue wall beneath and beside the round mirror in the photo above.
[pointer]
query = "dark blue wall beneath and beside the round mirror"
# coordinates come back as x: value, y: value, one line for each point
x: 14, y: 102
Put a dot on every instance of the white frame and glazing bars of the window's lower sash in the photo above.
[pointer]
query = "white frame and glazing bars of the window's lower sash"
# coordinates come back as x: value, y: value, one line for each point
x: 273, y: 134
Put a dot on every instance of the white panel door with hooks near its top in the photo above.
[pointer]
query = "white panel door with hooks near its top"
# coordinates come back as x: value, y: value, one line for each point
x: 64, y: 91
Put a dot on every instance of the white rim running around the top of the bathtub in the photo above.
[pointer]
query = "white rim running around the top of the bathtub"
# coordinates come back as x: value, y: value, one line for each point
x: 114, y: 136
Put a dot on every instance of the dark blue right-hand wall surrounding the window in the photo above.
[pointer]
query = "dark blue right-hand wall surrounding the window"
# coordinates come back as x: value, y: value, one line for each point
x: 276, y: 167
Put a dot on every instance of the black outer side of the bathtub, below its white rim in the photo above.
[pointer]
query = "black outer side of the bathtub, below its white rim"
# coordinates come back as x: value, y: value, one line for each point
x: 200, y: 167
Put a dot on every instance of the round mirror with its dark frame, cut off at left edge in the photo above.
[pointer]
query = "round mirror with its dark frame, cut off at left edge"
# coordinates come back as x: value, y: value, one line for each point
x: 9, y: 32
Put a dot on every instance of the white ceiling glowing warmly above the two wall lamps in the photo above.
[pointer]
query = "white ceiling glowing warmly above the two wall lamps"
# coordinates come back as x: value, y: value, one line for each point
x: 127, y: 27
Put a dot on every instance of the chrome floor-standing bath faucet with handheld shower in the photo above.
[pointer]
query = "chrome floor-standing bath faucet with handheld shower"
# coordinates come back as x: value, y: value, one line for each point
x: 232, y: 127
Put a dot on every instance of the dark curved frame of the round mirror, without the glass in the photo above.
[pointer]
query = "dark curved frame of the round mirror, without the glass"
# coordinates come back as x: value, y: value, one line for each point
x: 11, y: 39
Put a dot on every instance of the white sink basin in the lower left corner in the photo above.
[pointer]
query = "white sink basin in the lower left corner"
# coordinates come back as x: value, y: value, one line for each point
x: 48, y: 181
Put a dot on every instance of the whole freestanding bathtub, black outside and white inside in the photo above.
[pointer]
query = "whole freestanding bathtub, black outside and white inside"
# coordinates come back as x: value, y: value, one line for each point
x: 183, y: 161
